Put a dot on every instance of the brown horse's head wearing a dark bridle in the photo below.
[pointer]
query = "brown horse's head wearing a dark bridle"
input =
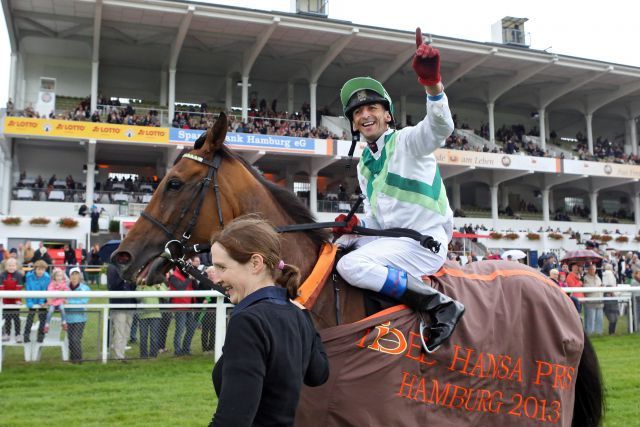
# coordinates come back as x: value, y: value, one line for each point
x: 187, y: 206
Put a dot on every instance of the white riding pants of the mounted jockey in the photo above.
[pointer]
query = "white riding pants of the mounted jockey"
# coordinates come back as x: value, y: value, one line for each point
x: 366, y: 267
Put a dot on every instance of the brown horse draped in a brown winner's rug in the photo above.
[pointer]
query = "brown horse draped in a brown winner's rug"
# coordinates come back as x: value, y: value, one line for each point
x: 520, y: 338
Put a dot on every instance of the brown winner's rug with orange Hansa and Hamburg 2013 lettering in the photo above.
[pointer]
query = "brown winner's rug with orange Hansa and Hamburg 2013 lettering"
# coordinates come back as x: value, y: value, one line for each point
x: 512, y: 360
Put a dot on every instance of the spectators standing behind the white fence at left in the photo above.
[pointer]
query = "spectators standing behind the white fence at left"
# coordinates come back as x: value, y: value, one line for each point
x: 23, y: 268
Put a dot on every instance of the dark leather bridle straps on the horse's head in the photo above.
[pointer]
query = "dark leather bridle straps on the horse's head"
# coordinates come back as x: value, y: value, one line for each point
x: 175, y: 246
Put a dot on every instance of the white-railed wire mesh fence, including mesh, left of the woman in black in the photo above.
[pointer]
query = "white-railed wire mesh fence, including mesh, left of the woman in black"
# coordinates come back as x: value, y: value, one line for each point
x: 106, y: 332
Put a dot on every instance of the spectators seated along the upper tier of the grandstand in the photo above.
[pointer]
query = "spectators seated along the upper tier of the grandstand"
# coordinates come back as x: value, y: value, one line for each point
x: 265, y: 119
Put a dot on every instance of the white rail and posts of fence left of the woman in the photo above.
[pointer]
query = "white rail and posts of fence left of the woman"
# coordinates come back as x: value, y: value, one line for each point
x: 220, y: 307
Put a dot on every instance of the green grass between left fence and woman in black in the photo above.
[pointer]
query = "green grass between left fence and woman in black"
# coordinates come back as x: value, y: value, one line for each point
x: 138, y: 393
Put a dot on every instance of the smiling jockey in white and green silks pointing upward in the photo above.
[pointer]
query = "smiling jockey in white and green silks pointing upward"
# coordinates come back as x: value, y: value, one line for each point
x: 399, y: 176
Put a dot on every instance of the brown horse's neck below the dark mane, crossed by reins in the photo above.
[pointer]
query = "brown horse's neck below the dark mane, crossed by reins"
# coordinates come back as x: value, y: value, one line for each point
x: 297, y: 248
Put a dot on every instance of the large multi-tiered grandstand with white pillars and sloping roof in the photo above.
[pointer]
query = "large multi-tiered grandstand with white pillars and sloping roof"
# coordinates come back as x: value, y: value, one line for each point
x: 110, y: 88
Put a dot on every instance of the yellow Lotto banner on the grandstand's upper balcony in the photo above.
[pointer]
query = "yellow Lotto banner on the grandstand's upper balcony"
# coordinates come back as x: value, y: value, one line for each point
x: 50, y: 128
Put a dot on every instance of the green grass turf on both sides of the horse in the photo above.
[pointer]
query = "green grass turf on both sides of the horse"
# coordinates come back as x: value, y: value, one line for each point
x: 159, y: 392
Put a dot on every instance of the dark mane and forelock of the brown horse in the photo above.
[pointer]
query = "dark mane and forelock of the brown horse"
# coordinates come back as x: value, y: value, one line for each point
x: 289, y: 202
